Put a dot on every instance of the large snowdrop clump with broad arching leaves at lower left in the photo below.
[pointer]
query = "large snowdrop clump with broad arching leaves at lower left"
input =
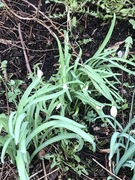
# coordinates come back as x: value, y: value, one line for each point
x: 25, y: 127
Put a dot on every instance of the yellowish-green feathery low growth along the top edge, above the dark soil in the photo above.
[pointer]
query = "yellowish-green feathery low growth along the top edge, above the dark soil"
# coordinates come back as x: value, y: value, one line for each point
x: 103, y: 8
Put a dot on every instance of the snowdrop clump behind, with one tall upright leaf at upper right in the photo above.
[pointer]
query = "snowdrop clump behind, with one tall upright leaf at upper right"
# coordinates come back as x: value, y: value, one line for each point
x: 86, y: 82
